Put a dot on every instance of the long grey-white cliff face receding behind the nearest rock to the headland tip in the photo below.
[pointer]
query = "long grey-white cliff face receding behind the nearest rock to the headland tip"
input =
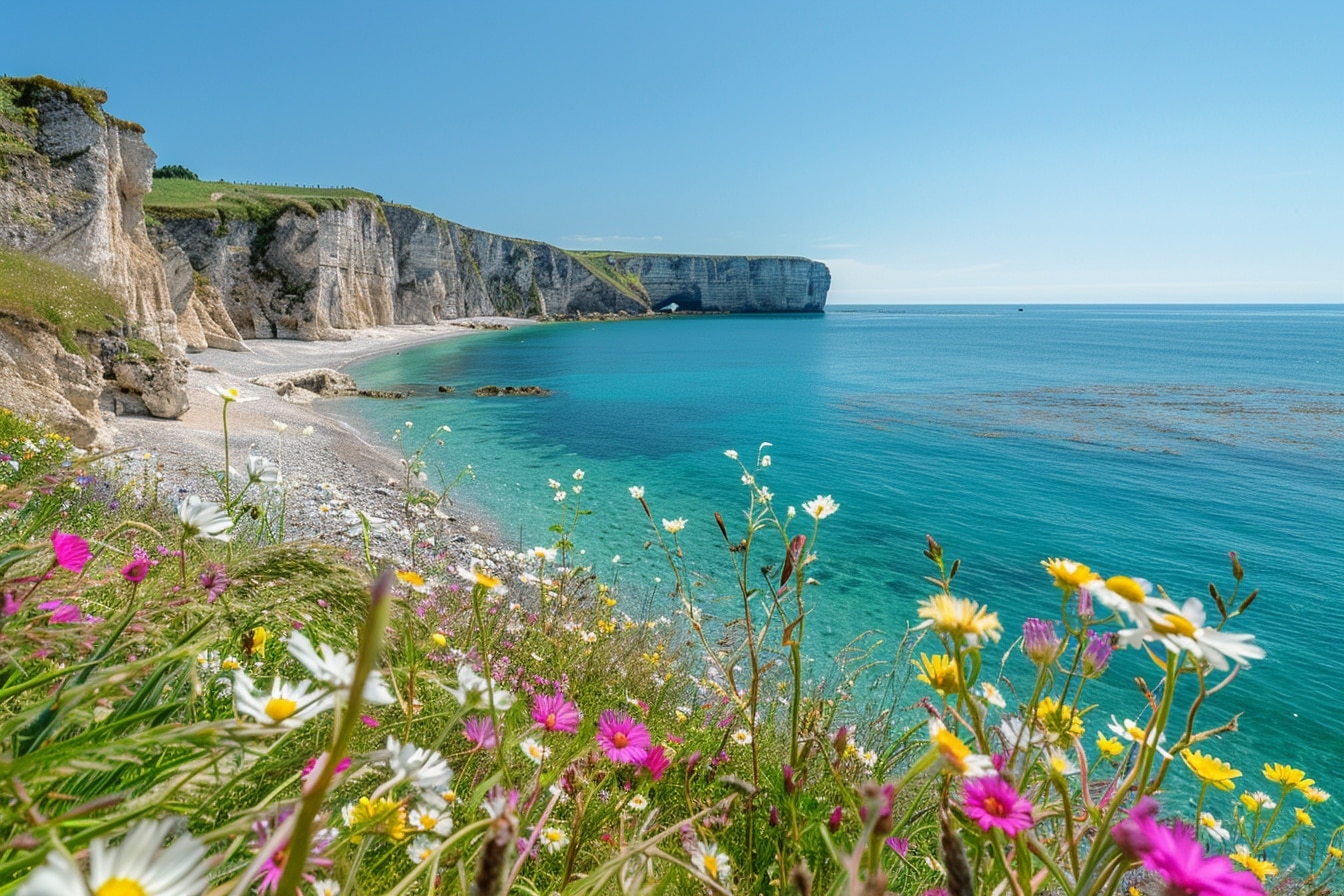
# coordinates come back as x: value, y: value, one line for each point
x: 312, y: 275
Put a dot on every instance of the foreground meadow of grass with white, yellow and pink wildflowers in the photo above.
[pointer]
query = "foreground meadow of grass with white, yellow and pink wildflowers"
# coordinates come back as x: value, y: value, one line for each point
x: 193, y: 702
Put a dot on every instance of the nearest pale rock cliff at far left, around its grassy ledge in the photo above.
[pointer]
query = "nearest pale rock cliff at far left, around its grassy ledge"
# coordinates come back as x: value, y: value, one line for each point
x: 73, y: 182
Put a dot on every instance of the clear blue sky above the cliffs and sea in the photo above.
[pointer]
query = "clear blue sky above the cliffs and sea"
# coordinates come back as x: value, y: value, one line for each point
x: 928, y: 152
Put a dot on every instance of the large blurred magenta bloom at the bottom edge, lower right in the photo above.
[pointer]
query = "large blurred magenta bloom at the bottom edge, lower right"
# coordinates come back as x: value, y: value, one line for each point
x: 1175, y: 854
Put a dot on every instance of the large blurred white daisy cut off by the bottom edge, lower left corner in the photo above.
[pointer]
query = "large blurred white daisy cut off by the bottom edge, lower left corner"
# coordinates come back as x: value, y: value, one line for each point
x: 139, y: 866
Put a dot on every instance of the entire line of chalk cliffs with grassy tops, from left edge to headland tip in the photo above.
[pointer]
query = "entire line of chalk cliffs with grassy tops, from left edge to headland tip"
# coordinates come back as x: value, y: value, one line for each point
x: 170, y: 265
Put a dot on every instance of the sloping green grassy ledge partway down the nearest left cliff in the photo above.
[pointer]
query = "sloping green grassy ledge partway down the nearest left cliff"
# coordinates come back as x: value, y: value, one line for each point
x: 37, y: 289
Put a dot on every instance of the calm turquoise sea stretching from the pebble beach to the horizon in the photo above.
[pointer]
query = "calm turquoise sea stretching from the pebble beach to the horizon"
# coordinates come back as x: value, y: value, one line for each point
x: 1139, y: 440
